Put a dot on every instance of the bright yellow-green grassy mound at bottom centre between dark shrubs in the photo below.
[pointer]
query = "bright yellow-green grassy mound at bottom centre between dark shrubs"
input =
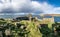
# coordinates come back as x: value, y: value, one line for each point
x: 34, y: 30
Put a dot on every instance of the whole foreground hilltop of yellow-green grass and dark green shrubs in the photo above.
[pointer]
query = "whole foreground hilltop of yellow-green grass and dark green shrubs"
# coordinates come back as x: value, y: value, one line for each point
x: 26, y: 28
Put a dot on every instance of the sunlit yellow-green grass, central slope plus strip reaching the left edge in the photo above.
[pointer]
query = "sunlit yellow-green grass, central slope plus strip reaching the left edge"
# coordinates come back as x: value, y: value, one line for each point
x: 32, y: 27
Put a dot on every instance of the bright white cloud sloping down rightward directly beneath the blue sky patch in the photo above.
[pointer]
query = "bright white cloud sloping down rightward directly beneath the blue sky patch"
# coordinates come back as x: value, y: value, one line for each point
x: 46, y: 8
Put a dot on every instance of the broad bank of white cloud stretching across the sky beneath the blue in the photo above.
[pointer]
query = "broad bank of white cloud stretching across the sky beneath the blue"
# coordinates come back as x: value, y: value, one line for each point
x: 28, y: 6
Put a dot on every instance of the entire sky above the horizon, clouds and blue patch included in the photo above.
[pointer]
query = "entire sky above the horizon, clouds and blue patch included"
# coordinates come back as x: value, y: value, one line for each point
x: 35, y: 7
